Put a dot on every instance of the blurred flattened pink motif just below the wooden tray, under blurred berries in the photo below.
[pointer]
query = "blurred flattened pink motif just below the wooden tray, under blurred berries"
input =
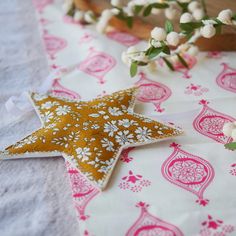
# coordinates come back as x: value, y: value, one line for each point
x: 123, y: 38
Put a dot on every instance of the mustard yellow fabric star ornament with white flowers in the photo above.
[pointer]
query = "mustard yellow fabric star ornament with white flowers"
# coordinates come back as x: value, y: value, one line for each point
x: 90, y: 135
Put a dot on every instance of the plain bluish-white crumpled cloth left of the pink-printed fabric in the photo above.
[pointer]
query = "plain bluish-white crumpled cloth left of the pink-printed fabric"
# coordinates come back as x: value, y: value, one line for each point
x: 35, y: 195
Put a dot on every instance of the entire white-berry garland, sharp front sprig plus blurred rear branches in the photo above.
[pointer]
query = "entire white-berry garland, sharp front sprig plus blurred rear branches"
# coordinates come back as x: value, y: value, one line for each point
x: 164, y: 43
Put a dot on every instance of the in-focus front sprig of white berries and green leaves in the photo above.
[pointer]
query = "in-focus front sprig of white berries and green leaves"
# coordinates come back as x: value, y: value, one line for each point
x: 163, y: 40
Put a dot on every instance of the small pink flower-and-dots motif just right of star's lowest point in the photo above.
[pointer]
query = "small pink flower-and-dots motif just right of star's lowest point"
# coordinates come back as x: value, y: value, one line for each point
x: 134, y: 183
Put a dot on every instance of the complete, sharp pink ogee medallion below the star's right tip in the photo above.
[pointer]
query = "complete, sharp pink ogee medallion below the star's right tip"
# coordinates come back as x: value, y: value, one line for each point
x: 189, y: 172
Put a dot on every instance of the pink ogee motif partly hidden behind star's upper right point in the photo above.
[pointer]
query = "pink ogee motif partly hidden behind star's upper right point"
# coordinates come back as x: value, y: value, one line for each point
x: 152, y: 92
